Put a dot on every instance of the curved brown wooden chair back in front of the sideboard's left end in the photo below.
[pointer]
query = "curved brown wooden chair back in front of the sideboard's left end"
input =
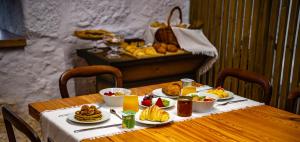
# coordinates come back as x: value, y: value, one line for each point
x: 88, y: 71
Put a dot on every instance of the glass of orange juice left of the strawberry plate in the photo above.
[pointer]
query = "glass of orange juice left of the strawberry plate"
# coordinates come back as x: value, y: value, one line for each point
x: 131, y: 102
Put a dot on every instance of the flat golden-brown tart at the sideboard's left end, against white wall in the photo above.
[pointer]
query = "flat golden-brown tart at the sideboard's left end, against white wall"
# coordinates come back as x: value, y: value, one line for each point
x: 92, y: 34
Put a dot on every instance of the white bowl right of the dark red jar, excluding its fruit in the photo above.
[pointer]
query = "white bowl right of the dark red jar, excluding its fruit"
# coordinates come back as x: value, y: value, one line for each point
x: 203, y: 106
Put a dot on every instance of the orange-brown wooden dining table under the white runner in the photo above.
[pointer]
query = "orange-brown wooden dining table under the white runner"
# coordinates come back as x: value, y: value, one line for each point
x: 260, y: 123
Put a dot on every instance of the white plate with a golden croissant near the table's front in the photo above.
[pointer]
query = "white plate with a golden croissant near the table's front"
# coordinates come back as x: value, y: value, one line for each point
x: 153, y: 115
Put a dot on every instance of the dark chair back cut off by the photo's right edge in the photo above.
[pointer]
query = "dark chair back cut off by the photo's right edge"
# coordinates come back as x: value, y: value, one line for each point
x: 293, y: 97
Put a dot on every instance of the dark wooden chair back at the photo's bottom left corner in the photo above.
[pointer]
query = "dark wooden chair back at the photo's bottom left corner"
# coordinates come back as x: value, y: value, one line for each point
x: 11, y: 119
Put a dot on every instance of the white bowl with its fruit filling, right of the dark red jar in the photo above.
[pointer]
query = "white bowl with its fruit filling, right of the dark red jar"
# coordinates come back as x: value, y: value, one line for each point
x: 202, y: 102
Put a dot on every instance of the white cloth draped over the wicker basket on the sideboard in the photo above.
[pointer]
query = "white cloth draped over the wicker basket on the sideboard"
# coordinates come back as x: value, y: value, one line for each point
x: 193, y: 41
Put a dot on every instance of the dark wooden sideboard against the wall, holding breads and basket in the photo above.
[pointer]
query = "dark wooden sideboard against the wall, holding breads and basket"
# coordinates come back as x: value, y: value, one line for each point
x: 145, y: 71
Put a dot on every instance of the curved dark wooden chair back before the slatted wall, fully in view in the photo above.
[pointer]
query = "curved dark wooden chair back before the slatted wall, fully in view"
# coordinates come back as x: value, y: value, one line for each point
x: 249, y: 77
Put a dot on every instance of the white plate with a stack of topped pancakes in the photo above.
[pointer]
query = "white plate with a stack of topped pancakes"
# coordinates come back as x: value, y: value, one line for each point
x: 89, y: 114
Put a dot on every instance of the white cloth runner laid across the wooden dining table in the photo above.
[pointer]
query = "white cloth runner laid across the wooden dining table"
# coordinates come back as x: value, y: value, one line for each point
x: 61, y: 130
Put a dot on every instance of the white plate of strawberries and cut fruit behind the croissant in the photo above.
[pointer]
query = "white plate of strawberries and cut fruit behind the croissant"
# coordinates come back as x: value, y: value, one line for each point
x: 148, y: 101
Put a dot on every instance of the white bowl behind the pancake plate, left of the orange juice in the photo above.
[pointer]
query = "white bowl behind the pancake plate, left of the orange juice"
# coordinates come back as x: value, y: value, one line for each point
x: 114, y: 101
